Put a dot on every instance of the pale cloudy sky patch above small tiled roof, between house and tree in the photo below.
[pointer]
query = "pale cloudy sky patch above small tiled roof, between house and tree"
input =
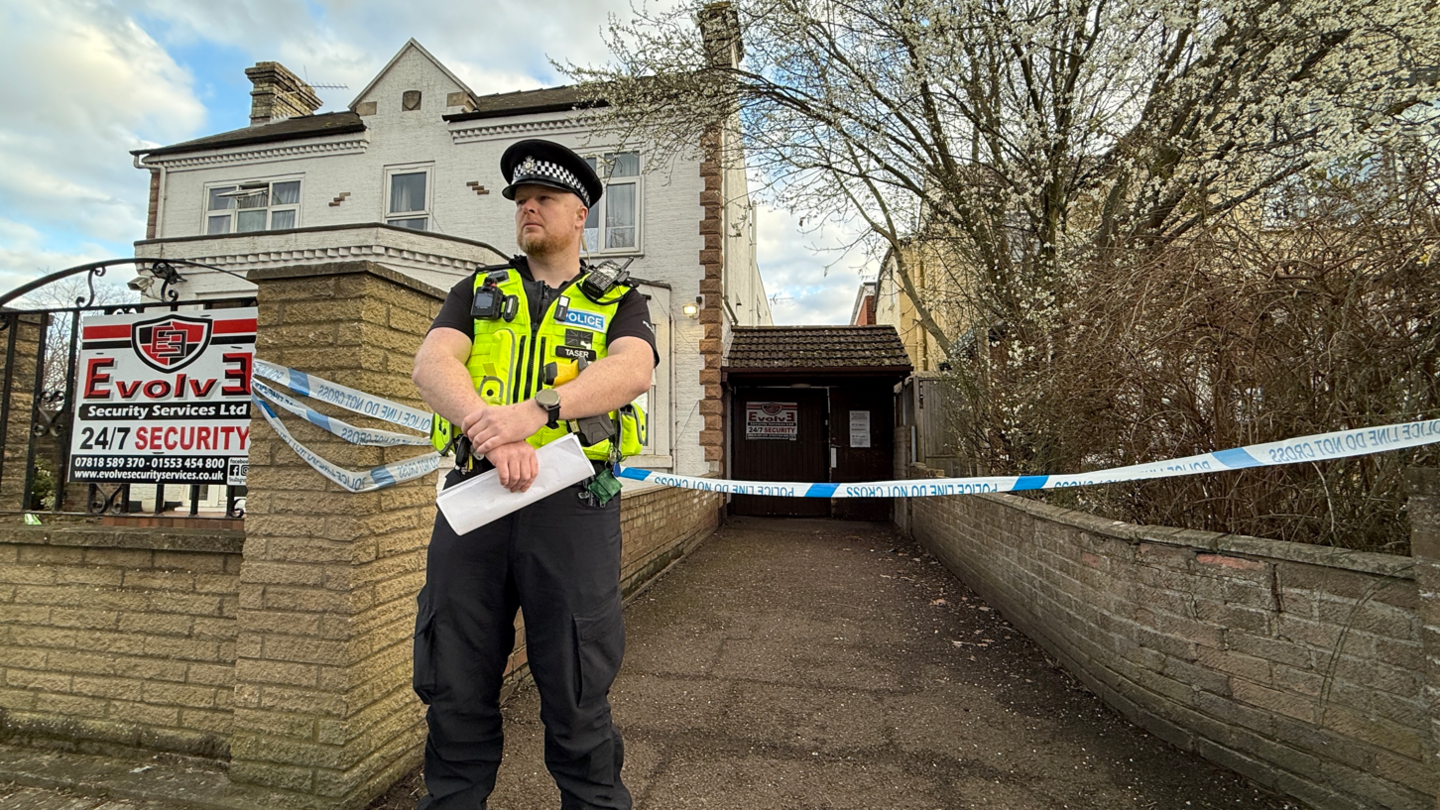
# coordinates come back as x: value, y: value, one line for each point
x: 809, y: 275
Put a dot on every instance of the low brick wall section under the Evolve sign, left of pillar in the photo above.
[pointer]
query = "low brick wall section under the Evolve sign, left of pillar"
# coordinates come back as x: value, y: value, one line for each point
x: 119, y: 638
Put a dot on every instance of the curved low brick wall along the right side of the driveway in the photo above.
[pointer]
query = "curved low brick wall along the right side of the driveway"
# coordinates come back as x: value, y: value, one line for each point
x: 1302, y: 668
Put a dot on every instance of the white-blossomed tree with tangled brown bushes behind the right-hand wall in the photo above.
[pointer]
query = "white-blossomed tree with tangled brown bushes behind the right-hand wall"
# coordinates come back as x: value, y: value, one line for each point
x: 1146, y: 228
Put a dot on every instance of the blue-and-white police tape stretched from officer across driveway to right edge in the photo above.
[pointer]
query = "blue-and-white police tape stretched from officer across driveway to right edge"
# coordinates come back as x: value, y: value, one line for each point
x: 1320, y: 448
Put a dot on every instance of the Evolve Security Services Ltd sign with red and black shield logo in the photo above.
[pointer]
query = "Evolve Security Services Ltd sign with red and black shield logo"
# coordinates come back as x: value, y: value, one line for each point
x: 165, y: 399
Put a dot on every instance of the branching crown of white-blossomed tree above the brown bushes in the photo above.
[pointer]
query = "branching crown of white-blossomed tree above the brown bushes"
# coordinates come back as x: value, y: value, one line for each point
x: 1027, y: 136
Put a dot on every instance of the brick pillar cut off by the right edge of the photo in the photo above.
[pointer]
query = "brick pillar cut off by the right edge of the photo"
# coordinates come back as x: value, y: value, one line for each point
x: 1425, y: 548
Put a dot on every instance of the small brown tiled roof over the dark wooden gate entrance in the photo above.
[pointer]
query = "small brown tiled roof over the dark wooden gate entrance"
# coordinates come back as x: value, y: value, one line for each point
x: 822, y: 348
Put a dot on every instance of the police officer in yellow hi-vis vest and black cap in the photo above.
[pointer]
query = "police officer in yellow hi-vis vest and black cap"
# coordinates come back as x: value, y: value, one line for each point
x: 521, y: 355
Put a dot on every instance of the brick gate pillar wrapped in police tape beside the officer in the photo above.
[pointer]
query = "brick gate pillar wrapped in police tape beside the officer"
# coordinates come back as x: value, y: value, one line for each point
x: 323, y: 703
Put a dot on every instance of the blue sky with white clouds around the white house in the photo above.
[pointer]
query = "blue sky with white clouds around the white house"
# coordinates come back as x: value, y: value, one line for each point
x: 89, y: 81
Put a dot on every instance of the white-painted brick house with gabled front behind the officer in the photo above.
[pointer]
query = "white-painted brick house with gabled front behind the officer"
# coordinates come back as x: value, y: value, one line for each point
x: 408, y: 177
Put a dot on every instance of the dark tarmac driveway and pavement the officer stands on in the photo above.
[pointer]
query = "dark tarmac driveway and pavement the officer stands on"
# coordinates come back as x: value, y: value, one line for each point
x: 817, y: 665
